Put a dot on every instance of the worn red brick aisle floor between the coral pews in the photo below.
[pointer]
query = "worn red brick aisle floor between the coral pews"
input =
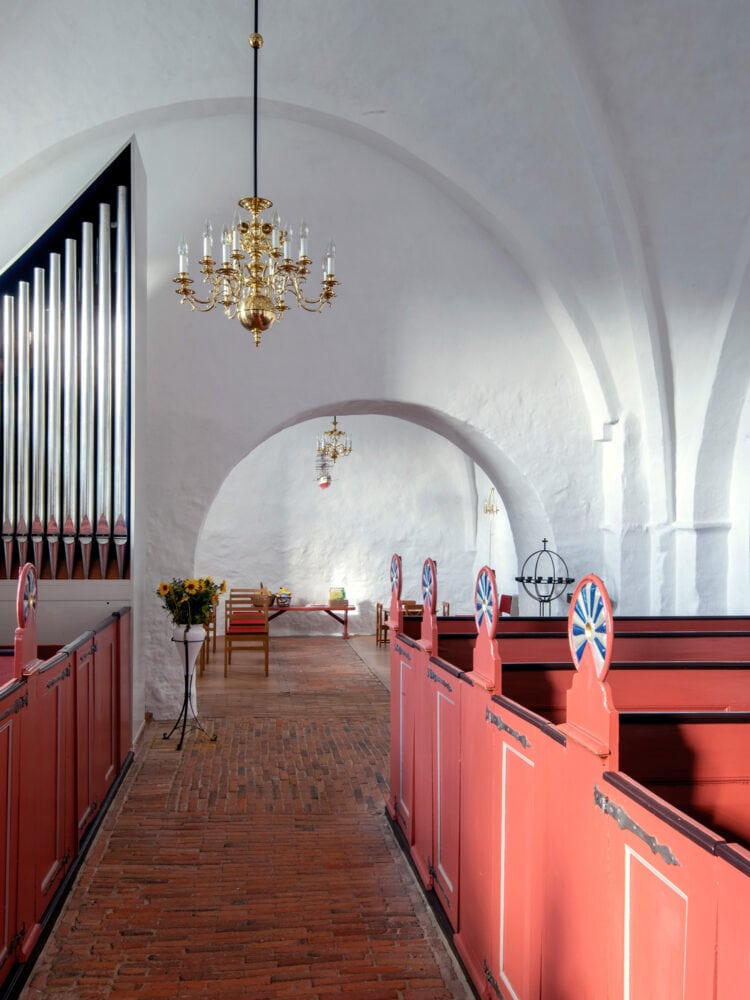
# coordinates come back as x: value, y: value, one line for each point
x: 260, y: 865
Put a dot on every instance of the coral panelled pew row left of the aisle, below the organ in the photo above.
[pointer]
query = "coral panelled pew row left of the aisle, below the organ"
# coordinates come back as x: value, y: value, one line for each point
x: 65, y: 739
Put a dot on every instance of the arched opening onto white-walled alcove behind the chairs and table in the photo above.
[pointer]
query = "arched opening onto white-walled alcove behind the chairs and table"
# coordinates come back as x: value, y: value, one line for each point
x: 403, y: 488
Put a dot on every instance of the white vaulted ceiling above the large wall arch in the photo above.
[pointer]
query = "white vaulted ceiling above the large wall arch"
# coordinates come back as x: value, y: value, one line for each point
x: 581, y: 135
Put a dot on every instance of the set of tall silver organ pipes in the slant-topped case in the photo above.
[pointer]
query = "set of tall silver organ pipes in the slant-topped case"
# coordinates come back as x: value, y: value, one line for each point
x: 65, y: 380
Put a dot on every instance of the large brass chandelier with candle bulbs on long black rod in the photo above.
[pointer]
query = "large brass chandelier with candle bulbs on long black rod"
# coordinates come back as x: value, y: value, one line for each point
x: 257, y: 270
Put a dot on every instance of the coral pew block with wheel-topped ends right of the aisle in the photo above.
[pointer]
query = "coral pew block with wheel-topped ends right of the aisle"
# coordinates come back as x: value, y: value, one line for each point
x: 628, y: 826
